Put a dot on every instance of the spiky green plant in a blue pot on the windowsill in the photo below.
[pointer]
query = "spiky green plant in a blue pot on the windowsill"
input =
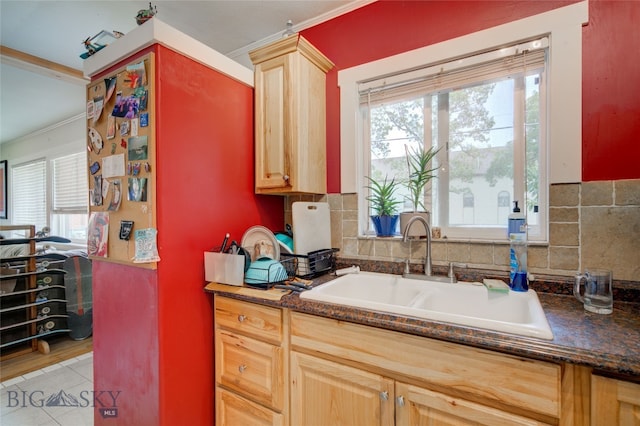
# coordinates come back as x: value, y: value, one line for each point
x: 384, y: 205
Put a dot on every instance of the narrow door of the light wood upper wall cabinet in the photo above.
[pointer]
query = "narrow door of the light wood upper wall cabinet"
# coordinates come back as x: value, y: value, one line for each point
x: 272, y: 109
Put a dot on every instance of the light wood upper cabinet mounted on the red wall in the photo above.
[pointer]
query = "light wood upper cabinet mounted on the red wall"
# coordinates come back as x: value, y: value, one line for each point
x: 290, y: 114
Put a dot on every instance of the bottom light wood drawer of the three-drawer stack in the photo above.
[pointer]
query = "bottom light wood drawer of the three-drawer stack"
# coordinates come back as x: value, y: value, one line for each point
x: 233, y: 410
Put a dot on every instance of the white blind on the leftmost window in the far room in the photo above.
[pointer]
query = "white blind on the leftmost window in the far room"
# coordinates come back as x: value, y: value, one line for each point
x: 29, y: 191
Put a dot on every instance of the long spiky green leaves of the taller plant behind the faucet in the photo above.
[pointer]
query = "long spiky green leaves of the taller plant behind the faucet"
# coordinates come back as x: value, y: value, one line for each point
x: 419, y: 163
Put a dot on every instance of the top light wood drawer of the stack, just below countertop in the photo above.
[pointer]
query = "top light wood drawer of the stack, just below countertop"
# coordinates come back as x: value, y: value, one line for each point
x: 261, y: 322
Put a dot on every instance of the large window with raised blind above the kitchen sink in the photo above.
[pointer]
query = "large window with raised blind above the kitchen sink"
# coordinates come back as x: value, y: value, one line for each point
x: 486, y: 114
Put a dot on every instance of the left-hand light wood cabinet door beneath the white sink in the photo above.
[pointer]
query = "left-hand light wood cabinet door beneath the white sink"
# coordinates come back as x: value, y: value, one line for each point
x: 327, y: 393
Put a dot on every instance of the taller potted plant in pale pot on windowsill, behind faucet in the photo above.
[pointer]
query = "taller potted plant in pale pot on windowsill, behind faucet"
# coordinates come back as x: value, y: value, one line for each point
x: 419, y: 164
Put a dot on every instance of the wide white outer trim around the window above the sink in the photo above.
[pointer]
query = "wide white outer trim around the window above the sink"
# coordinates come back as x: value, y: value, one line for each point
x: 564, y: 128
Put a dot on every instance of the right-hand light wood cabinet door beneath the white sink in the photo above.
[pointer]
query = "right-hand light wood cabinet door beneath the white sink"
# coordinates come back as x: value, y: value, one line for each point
x: 418, y: 406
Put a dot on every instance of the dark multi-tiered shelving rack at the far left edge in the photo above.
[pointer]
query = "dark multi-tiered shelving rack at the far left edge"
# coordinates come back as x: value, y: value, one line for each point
x: 32, y: 297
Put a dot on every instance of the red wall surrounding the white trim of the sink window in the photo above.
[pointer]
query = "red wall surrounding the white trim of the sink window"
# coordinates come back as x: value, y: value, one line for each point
x: 611, y: 107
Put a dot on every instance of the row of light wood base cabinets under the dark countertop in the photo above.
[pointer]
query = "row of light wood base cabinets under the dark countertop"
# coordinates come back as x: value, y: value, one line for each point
x: 281, y: 367
